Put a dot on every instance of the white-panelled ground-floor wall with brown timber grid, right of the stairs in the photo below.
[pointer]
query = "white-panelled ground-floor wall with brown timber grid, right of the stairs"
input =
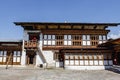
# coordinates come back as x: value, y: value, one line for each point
x: 73, y: 62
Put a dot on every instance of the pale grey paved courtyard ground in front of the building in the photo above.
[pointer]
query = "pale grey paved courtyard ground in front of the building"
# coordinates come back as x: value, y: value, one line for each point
x: 57, y: 74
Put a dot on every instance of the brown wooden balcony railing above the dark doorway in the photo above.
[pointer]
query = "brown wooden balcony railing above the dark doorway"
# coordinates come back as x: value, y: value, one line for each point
x: 31, y: 44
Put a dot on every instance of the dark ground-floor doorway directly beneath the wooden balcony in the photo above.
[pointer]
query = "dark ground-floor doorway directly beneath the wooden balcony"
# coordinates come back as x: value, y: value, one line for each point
x: 31, y: 59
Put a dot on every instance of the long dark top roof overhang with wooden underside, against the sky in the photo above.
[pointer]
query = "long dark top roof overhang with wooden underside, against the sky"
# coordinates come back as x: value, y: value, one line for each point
x: 61, y: 25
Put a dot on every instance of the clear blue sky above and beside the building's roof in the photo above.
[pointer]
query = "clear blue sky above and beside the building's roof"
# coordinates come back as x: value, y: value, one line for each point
x: 107, y: 11
